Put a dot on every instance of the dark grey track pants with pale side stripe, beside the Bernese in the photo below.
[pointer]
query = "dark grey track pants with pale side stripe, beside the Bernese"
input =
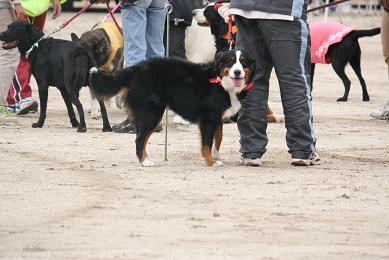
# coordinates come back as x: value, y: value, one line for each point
x: 284, y: 45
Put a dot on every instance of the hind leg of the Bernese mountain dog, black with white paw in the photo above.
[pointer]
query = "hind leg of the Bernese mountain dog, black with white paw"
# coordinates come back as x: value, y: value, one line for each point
x: 145, y: 122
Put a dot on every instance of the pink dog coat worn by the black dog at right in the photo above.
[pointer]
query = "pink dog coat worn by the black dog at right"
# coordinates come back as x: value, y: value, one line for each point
x: 323, y: 35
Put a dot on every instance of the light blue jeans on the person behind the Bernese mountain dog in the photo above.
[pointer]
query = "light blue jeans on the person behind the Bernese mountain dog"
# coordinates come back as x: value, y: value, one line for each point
x: 143, y: 26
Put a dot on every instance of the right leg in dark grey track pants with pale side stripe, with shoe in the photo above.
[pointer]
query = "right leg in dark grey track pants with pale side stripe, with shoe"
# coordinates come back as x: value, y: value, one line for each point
x: 289, y: 45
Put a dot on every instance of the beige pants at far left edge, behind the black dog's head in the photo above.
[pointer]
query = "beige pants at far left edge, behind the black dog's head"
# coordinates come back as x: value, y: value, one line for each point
x: 9, y: 59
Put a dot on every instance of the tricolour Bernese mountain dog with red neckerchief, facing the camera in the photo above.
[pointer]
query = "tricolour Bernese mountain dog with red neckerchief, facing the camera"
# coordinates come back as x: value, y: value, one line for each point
x: 187, y: 89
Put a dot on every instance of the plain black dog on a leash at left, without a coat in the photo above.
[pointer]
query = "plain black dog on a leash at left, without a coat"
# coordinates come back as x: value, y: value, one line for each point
x: 54, y: 62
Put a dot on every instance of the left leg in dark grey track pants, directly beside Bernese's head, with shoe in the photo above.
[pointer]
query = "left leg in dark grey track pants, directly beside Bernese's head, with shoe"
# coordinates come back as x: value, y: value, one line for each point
x: 252, y: 122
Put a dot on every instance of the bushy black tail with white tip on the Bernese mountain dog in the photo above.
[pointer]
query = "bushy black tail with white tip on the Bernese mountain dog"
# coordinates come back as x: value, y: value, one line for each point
x: 107, y: 84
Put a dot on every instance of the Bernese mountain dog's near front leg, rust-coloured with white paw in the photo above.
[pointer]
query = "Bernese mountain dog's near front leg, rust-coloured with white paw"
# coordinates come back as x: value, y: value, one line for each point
x: 208, y: 133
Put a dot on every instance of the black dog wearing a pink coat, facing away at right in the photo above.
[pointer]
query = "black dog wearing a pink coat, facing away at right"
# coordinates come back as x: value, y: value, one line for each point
x: 345, y: 49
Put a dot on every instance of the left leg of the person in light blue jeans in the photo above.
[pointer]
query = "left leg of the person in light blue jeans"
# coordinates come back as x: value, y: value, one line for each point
x: 134, y: 30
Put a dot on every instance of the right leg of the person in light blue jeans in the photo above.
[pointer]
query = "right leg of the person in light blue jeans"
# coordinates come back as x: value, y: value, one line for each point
x: 156, y: 16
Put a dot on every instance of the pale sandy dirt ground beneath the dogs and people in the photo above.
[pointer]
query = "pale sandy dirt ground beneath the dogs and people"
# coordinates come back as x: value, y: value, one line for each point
x: 65, y: 195
